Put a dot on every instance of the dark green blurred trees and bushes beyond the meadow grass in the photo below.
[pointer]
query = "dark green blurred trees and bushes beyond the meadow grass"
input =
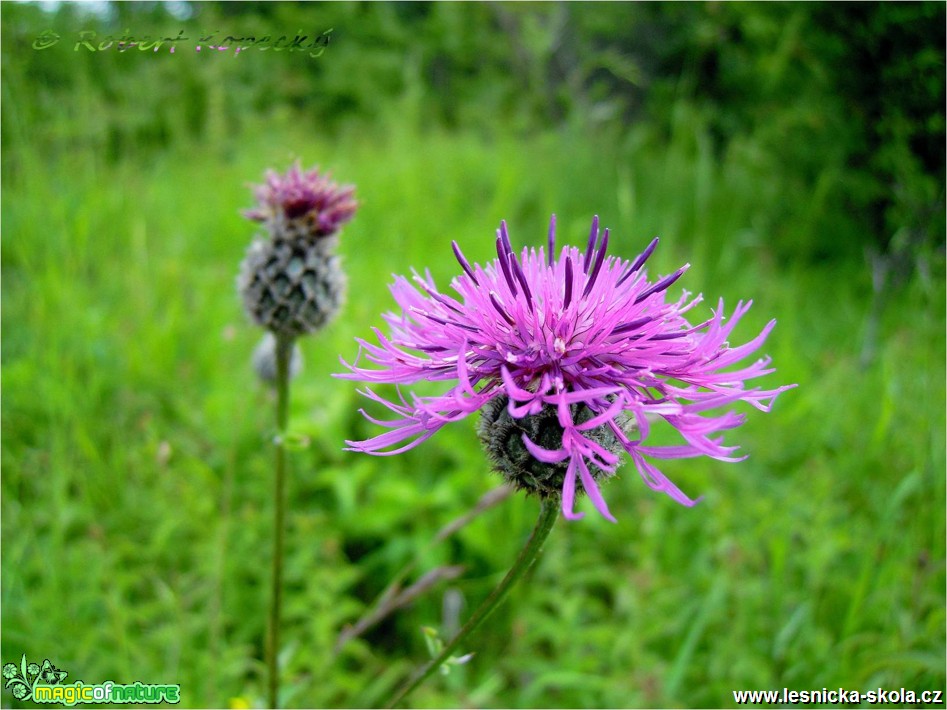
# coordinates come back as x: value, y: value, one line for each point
x: 857, y: 88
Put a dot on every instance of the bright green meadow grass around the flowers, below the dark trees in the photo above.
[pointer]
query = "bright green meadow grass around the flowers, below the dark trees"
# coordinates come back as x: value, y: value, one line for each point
x: 137, y: 475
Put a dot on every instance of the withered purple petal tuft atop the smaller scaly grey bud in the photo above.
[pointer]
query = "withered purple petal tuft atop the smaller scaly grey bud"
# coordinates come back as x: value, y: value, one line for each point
x: 304, y: 195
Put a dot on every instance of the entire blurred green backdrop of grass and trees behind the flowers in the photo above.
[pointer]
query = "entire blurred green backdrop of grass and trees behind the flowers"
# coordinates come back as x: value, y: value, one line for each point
x: 792, y: 153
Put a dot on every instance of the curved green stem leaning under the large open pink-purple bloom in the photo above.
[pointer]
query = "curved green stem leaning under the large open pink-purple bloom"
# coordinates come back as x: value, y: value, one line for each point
x: 548, y: 513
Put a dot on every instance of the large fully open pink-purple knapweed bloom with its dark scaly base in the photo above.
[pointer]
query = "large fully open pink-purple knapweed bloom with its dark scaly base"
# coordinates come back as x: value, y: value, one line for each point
x: 570, y: 359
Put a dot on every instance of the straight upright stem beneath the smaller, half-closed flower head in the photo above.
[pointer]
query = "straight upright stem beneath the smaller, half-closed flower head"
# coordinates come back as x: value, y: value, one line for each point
x: 284, y: 349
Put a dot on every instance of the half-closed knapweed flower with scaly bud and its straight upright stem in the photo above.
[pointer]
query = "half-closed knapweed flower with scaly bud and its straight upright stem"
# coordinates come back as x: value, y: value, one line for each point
x: 292, y: 284
